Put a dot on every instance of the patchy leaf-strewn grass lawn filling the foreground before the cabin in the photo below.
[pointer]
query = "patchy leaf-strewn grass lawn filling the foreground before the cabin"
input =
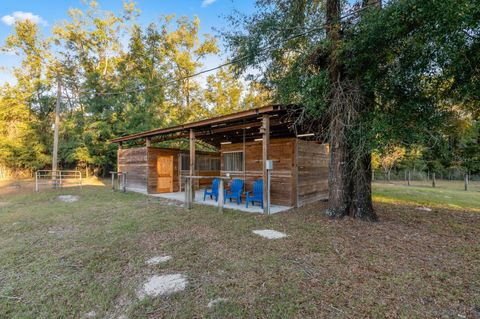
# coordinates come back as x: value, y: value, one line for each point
x: 68, y: 259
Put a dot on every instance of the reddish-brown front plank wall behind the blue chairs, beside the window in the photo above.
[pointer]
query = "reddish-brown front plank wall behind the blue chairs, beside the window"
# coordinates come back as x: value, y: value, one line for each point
x: 282, y: 152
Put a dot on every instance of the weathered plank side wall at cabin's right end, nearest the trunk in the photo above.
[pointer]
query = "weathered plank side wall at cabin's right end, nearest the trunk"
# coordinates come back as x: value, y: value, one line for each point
x: 312, y: 167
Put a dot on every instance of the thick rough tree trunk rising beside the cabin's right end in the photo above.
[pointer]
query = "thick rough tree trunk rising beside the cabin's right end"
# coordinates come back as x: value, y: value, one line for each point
x: 350, y: 172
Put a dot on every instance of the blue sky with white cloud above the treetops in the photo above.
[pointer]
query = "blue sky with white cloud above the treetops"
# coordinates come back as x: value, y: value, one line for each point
x: 47, y: 12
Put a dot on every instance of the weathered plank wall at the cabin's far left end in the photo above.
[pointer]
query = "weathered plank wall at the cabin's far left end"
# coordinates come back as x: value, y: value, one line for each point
x: 133, y: 161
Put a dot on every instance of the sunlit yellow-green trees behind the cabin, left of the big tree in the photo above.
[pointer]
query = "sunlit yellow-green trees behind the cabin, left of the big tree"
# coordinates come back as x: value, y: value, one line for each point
x: 117, y: 78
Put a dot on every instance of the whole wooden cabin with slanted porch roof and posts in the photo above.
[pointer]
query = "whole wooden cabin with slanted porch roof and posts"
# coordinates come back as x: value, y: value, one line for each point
x: 245, y: 141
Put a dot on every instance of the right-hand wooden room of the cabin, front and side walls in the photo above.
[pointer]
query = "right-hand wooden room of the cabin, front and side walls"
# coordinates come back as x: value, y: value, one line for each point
x: 300, y: 168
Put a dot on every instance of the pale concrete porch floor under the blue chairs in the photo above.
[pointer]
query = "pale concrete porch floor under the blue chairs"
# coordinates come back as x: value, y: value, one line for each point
x: 180, y: 196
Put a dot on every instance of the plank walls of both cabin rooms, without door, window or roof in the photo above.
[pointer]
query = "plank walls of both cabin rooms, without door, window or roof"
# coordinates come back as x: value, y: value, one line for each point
x: 299, y: 176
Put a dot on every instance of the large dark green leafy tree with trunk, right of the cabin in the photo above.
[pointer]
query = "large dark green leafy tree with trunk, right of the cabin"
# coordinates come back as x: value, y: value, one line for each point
x: 372, y: 76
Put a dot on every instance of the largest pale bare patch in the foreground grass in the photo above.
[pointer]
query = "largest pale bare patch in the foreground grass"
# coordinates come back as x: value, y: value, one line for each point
x: 162, y: 285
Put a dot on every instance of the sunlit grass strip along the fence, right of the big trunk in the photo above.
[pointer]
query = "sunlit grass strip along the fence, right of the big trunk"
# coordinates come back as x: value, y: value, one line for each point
x: 446, y: 194
